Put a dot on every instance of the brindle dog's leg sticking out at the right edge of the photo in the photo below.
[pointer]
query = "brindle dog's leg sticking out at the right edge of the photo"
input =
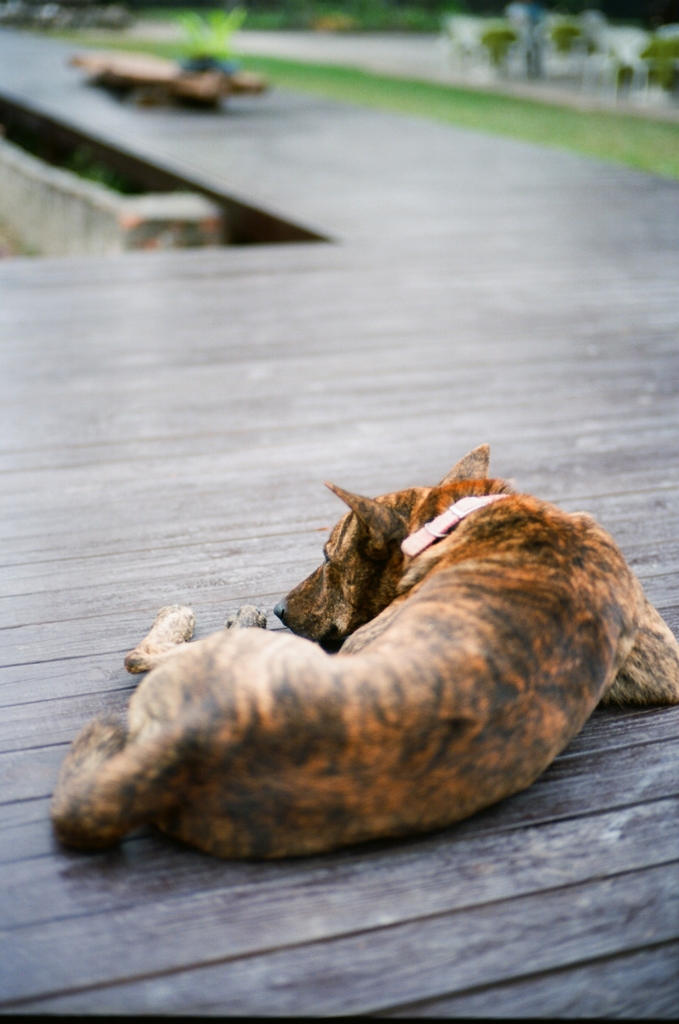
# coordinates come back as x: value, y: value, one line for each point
x: 650, y: 675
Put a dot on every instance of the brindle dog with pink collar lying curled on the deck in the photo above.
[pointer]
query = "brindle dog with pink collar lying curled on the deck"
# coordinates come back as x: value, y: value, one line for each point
x: 464, y: 672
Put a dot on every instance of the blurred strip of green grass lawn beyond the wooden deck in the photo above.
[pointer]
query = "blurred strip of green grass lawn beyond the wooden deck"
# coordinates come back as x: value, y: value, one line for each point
x: 635, y: 142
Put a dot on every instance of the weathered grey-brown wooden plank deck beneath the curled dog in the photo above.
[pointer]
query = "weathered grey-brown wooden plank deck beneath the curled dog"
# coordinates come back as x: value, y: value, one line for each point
x: 167, y: 421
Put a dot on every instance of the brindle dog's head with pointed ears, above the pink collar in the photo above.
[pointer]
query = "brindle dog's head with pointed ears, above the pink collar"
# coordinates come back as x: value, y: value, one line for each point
x: 364, y: 563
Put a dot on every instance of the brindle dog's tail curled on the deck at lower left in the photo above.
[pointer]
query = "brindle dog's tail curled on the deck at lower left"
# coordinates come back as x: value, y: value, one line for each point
x: 109, y: 786
